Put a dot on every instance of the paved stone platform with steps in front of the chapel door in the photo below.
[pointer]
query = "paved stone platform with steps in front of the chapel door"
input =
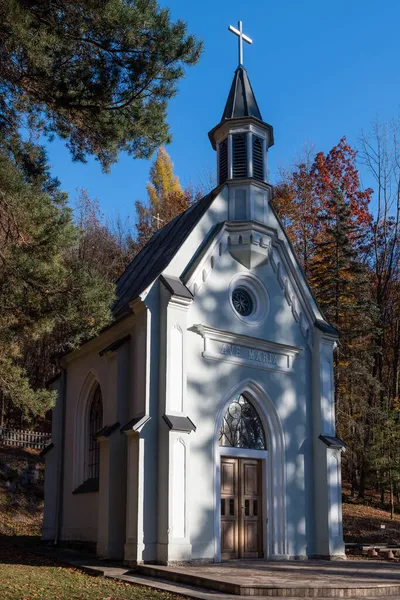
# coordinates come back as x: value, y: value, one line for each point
x: 290, y: 579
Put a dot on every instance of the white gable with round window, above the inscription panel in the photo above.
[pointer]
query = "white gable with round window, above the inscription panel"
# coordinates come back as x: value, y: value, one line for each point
x: 278, y: 311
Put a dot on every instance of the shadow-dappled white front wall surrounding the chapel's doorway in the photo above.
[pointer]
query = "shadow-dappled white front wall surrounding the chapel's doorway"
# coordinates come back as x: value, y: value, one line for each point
x: 289, y: 322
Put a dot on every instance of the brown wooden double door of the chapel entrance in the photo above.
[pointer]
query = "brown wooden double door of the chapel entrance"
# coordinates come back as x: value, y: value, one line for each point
x: 241, y: 508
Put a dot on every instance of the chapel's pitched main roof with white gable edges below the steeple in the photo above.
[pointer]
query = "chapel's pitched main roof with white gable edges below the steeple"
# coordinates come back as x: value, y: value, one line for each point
x: 190, y: 246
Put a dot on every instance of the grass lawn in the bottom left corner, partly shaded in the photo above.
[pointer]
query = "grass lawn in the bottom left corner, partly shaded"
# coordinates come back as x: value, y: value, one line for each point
x: 26, y: 576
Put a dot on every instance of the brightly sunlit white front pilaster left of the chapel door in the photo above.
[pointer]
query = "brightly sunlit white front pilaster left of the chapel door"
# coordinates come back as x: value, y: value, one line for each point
x: 173, y: 541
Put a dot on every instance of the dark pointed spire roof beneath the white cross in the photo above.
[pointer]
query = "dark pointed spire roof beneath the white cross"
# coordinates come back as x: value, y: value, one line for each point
x: 241, y: 100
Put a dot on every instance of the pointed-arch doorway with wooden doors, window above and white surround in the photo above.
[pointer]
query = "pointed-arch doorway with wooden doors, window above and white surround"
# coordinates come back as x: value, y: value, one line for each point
x: 249, y: 443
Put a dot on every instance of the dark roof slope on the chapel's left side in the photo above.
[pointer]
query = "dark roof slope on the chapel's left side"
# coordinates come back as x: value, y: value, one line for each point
x: 156, y: 255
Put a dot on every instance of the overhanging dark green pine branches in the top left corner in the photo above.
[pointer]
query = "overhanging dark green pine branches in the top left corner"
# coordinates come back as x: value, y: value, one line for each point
x: 96, y: 73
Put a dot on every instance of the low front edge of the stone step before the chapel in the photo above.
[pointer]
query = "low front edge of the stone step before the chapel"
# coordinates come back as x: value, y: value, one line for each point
x: 305, y: 588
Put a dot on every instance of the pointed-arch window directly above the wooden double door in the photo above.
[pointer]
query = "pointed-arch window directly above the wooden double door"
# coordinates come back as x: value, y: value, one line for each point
x: 241, y: 426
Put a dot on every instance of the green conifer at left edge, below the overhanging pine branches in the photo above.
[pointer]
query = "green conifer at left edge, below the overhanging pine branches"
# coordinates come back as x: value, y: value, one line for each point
x: 43, y: 286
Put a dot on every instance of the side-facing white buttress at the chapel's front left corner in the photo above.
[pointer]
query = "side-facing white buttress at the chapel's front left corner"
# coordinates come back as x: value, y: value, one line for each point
x: 141, y: 435
